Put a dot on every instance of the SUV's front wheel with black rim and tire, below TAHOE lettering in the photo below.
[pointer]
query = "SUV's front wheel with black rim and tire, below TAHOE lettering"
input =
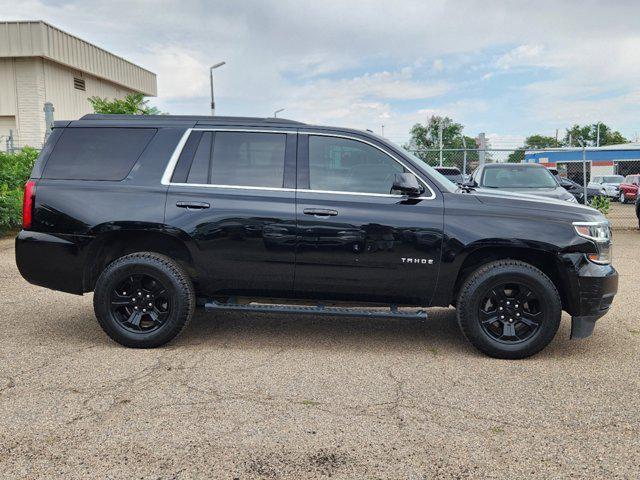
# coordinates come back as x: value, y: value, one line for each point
x: 493, y: 292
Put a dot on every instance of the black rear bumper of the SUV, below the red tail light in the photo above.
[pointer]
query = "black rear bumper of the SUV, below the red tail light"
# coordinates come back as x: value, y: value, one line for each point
x: 52, y: 261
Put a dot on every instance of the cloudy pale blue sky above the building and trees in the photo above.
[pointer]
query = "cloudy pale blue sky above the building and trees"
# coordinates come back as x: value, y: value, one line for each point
x: 509, y: 69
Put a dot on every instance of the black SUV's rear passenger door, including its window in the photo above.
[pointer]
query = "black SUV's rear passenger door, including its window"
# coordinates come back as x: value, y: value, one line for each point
x: 232, y: 193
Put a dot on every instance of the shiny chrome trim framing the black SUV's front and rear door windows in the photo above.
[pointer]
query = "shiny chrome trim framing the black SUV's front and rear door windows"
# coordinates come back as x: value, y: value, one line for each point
x: 175, y: 156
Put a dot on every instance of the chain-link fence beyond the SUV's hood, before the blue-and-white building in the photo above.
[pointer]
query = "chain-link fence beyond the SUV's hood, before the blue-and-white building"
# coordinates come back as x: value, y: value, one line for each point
x: 613, y: 173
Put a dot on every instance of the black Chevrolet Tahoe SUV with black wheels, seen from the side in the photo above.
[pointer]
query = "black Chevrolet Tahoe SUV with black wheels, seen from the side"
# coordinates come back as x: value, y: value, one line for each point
x: 159, y: 215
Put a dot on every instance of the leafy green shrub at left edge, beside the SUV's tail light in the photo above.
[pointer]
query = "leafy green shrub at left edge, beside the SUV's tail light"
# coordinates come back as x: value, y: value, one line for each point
x: 15, y: 169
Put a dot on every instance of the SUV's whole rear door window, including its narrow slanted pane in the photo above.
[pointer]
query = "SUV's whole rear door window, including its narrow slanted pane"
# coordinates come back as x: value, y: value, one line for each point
x: 233, y: 158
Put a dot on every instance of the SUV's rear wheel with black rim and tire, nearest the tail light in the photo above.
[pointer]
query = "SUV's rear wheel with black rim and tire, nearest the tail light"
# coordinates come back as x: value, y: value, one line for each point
x: 143, y: 281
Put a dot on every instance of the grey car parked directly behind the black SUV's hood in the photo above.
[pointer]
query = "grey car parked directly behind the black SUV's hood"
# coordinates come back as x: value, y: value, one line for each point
x: 527, y: 178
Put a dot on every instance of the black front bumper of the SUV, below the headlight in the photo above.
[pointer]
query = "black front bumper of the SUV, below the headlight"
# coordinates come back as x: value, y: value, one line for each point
x: 590, y: 293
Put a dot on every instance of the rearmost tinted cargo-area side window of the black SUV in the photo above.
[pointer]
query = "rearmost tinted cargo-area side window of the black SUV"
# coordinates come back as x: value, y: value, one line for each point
x: 97, y: 153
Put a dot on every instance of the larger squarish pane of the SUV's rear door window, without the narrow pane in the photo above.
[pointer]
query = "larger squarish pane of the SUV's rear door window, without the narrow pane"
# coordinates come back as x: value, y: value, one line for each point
x: 248, y: 159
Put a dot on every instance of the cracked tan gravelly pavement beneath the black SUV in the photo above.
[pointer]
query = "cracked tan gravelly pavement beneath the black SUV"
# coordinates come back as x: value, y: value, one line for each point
x: 248, y: 396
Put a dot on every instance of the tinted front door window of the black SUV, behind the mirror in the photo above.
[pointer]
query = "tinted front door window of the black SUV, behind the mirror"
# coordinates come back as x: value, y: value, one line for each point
x: 343, y: 165
